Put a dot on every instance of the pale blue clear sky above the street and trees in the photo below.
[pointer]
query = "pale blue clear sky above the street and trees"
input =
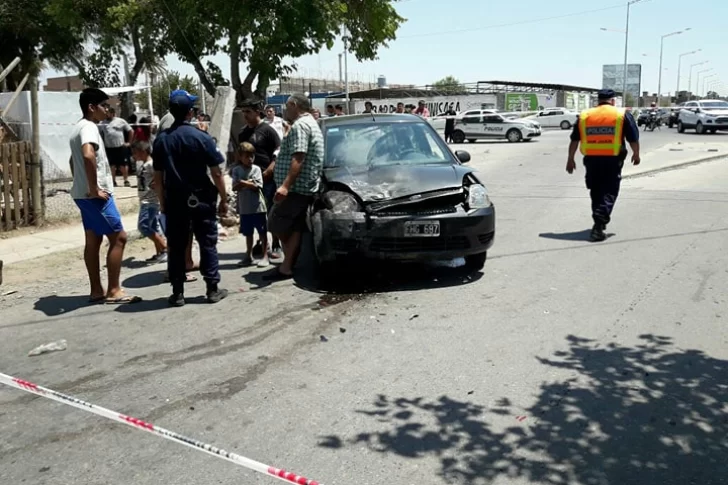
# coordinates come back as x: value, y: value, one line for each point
x: 557, y: 41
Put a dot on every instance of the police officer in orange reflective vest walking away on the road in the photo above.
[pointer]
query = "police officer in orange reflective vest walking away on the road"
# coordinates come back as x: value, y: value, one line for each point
x: 603, y: 133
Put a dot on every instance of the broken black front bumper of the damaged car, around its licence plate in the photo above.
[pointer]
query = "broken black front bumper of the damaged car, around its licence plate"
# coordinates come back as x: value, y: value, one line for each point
x: 462, y: 233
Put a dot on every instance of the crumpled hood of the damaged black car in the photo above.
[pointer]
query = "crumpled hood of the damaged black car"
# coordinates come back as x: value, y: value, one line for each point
x: 396, y: 181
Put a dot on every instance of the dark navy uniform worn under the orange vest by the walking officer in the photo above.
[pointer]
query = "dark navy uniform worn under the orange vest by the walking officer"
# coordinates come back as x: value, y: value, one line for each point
x: 604, y: 172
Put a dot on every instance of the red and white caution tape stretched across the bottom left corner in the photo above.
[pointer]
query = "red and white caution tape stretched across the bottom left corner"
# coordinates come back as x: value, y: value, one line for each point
x: 161, y: 432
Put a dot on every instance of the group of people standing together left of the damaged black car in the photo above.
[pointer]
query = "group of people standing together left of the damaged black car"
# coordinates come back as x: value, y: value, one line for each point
x: 276, y: 170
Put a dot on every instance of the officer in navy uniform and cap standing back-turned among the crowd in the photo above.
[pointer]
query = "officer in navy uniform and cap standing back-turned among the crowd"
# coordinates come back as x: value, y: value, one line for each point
x: 182, y: 157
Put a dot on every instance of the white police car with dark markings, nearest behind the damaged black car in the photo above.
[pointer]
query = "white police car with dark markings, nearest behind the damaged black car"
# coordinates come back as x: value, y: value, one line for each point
x: 486, y: 124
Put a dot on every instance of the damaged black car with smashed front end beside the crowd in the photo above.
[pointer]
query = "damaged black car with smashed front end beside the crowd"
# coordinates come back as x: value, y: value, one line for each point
x: 393, y: 190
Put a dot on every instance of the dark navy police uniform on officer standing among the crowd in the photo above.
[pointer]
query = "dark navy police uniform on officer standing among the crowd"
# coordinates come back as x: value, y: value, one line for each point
x: 184, y: 153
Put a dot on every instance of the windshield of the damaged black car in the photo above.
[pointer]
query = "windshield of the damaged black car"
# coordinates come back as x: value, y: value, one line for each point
x: 373, y: 144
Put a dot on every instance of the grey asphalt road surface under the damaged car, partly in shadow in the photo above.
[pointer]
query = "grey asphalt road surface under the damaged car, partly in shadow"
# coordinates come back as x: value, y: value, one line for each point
x: 562, y: 362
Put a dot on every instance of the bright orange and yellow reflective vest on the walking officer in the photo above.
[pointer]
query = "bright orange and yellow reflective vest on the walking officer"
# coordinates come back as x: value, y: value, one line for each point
x: 600, y: 131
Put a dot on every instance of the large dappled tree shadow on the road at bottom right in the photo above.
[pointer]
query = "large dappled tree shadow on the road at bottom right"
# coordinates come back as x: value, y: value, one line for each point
x: 649, y: 414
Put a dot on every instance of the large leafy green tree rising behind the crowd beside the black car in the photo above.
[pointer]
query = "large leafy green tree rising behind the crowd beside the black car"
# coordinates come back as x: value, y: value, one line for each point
x: 277, y: 30
